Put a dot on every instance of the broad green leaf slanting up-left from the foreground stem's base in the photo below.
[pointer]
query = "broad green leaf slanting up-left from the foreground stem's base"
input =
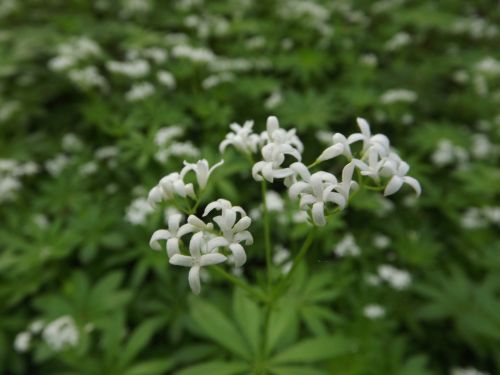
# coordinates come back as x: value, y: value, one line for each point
x: 215, y: 325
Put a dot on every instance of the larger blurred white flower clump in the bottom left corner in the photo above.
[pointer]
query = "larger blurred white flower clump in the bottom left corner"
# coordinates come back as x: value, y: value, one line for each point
x: 61, y: 333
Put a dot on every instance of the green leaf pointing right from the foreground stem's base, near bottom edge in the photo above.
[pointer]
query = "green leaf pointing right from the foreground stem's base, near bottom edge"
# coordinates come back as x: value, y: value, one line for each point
x: 314, y: 350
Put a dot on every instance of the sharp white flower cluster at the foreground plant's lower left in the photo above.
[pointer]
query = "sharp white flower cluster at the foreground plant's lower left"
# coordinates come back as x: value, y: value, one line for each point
x: 210, y: 243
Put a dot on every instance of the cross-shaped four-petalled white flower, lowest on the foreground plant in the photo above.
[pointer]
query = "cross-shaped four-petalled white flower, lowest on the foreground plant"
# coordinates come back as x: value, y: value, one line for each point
x: 201, y: 256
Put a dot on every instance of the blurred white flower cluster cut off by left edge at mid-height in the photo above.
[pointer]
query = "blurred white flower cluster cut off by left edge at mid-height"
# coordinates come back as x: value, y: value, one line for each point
x: 11, y: 172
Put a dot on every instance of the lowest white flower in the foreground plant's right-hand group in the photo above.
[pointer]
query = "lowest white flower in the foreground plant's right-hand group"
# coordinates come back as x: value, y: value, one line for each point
x: 315, y: 191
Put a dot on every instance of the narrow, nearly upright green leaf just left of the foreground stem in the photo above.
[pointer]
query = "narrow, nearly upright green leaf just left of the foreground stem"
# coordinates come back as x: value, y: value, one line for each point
x: 247, y: 315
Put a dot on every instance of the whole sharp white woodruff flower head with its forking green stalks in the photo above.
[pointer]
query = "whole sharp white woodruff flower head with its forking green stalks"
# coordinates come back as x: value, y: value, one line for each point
x: 222, y: 233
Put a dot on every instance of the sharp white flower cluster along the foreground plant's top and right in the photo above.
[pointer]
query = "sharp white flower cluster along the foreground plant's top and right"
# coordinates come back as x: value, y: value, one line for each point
x: 281, y: 152
